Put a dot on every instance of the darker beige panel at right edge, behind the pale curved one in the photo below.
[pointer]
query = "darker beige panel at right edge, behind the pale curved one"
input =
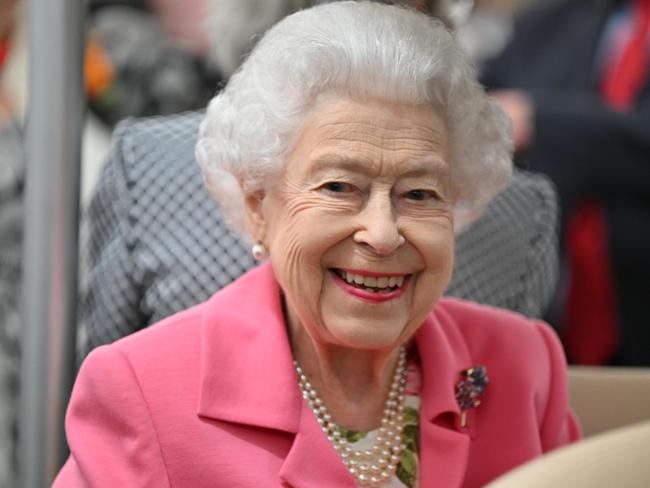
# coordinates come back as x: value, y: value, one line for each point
x: 608, y: 398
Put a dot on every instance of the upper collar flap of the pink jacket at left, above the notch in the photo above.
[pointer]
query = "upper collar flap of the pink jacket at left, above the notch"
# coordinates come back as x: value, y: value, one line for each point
x: 247, y: 374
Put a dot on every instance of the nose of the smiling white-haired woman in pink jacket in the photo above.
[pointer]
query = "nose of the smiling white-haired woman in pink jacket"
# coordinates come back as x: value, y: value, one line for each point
x: 378, y: 228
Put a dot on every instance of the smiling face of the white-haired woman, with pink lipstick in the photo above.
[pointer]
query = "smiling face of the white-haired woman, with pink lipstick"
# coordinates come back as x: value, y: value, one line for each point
x: 359, y: 224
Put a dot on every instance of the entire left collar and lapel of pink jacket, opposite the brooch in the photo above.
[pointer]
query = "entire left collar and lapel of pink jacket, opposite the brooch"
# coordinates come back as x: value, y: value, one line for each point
x: 247, y: 377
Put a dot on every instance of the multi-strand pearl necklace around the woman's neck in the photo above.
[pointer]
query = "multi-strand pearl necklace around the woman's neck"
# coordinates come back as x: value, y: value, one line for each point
x: 375, y: 466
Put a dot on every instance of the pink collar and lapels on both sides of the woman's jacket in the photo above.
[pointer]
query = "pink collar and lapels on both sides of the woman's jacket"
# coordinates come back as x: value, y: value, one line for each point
x: 247, y: 377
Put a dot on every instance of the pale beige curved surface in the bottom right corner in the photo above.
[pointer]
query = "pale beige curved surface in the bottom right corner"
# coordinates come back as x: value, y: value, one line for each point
x: 619, y: 458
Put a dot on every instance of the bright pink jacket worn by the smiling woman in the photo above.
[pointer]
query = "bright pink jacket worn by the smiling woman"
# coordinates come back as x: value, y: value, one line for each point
x: 209, y: 398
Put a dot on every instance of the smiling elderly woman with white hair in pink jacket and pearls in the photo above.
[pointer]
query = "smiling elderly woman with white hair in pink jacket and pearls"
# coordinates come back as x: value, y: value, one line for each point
x: 349, y: 147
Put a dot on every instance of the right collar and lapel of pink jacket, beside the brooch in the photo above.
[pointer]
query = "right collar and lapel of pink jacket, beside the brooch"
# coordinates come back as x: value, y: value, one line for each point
x: 444, y: 445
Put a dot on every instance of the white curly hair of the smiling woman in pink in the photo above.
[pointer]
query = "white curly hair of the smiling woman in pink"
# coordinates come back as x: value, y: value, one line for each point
x: 354, y: 50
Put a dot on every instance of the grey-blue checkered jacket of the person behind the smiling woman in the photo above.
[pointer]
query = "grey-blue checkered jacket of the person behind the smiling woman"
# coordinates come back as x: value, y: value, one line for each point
x: 158, y: 244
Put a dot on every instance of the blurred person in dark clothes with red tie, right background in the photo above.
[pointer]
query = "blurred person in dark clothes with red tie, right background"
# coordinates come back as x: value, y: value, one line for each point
x: 574, y: 79
